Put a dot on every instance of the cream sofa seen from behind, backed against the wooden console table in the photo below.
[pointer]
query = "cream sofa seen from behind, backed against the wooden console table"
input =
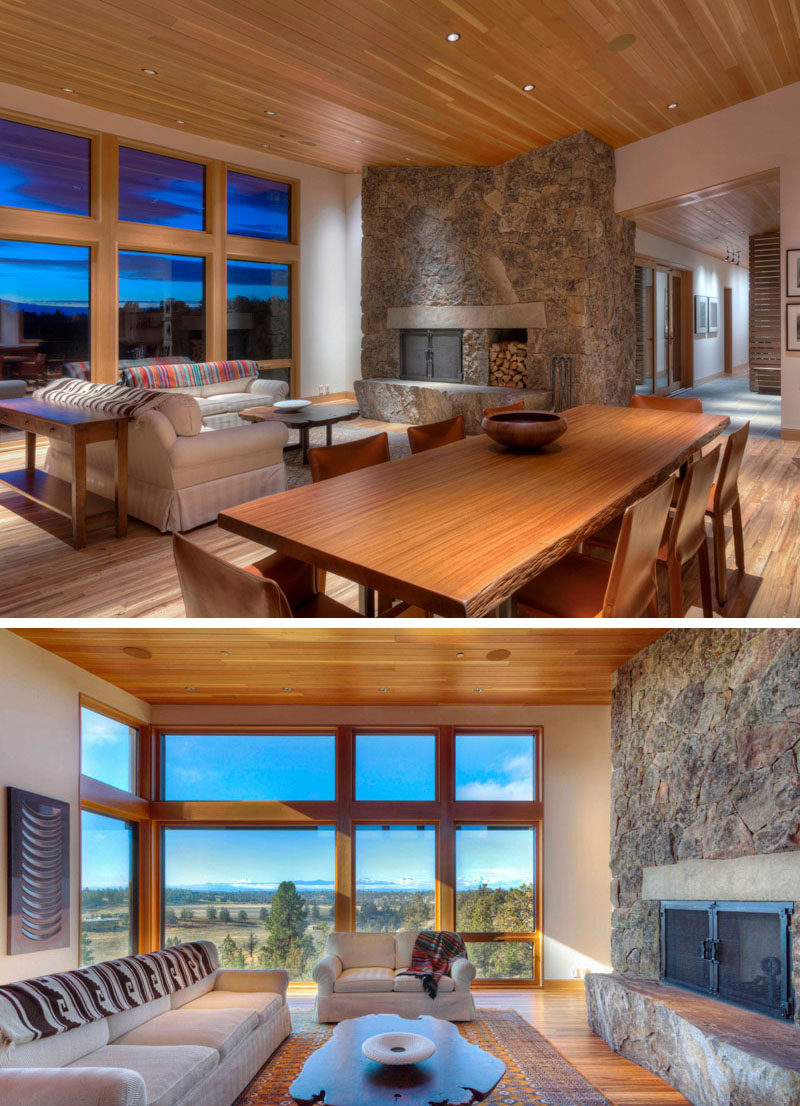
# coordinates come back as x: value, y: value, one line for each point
x: 181, y: 474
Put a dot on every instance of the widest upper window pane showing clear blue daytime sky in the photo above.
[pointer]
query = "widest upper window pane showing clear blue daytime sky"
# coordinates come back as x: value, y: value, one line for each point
x: 242, y: 767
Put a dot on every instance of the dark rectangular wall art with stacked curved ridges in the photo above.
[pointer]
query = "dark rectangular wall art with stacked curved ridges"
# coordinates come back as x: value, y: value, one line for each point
x: 38, y: 872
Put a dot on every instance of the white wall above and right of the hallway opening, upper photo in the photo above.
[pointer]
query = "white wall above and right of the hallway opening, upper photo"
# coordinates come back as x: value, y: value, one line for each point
x: 751, y: 138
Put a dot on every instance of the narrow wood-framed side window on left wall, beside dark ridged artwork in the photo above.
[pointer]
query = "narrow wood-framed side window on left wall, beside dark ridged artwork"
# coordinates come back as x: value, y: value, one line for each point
x: 116, y: 833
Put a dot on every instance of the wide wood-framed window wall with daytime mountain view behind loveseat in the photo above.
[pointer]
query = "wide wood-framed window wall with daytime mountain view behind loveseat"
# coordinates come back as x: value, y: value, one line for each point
x: 400, y: 828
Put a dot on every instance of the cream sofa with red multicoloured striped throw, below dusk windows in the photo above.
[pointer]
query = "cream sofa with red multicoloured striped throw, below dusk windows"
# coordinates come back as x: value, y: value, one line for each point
x: 220, y: 400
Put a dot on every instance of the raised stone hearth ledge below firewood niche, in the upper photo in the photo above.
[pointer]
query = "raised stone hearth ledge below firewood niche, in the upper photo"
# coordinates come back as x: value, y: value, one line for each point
x: 430, y: 402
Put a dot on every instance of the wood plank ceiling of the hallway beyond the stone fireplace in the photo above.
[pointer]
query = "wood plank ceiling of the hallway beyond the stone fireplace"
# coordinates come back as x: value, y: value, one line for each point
x: 718, y: 221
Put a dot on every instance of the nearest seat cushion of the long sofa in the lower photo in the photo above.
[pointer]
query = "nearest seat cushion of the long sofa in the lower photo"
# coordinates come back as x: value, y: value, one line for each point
x: 169, y: 1073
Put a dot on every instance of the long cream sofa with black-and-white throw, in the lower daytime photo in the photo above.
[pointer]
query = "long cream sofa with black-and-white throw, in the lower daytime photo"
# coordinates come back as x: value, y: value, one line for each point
x: 196, y: 1045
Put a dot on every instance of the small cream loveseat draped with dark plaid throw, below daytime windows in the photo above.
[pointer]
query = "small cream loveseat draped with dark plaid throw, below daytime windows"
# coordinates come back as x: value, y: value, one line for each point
x: 360, y: 975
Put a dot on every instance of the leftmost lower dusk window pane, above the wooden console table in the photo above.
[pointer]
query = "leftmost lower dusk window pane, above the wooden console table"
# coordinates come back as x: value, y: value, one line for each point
x: 45, y: 297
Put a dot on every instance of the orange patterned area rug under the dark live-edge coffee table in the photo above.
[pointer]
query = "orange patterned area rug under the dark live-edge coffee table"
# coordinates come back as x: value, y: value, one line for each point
x: 536, y: 1073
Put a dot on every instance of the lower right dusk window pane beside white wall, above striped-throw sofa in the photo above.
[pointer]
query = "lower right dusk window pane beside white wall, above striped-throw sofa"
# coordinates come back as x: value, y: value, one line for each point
x: 259, y: 311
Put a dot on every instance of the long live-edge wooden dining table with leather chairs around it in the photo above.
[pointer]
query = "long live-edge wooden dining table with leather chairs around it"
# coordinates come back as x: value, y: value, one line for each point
x: 459, y: 530
